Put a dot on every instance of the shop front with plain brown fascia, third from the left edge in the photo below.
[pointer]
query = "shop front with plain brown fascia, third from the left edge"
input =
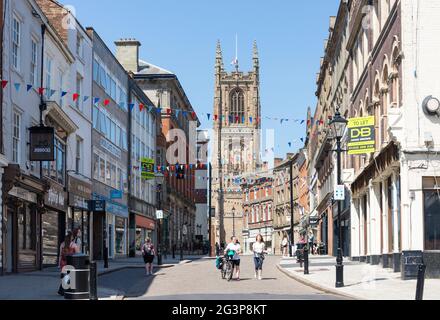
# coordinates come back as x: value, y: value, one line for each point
x: 78, y: 216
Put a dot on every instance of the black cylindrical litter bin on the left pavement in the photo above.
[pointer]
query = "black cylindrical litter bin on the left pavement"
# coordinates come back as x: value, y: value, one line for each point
x: 76, y: 282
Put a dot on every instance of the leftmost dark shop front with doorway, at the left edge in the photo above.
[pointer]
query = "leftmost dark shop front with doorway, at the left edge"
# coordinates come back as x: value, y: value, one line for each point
x: 23, y: 198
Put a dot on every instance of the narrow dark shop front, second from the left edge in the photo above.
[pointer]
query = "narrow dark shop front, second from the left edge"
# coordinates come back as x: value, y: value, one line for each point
x: 53, y: 223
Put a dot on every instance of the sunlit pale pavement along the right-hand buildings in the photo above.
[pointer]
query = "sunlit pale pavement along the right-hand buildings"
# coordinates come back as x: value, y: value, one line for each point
x: 362, y: 281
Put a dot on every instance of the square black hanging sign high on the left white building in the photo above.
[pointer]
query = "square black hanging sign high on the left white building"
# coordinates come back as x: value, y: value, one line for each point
x: 42, y: 144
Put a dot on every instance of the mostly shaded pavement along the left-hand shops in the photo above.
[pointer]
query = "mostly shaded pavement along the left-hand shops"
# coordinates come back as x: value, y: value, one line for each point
x: 43, y: 285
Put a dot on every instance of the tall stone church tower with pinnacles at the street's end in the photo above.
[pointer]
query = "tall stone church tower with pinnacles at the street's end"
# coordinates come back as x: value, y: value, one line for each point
x: 237, y: 134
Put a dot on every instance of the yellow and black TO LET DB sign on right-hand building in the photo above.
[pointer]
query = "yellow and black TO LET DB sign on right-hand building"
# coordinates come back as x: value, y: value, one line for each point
x: 361, y: 135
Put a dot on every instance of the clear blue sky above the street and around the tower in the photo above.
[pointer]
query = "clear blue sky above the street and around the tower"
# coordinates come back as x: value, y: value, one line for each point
x: 181, y: 36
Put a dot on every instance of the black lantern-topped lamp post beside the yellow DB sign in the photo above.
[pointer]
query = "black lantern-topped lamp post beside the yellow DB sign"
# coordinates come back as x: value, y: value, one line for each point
x: 338, y: 125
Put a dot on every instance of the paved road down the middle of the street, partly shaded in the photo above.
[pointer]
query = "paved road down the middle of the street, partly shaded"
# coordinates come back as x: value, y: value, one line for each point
x: 200, y: 280
